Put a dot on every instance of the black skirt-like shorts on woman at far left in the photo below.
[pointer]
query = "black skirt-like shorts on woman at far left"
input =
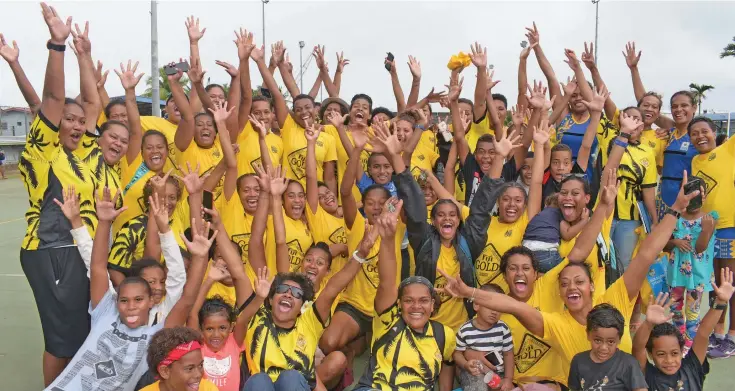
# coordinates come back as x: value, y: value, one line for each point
x: 58, y: 279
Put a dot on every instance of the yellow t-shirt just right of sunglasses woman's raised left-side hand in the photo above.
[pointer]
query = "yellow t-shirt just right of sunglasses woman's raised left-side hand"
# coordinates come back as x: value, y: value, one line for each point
x: 238, y: 225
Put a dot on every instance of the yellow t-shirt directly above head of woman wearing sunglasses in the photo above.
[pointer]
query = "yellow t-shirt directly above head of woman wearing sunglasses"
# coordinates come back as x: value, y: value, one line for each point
x: 298, y: 240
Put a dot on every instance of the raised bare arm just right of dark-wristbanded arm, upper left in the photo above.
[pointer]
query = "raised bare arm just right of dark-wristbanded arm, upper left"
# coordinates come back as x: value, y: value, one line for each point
x: 88, y: 84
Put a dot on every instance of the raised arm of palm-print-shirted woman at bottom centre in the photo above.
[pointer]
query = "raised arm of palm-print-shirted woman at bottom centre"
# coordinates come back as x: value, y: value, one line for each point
x: 386, y: 224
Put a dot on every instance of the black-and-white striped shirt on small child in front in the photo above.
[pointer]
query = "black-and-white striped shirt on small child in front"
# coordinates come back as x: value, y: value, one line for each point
x: 495, y: 339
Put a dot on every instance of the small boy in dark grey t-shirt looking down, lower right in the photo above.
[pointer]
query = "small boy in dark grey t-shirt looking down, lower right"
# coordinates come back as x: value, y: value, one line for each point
x: 605, y: 367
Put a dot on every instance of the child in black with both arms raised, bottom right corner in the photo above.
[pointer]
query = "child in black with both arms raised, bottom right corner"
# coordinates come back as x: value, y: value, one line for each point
x: 671, y: 370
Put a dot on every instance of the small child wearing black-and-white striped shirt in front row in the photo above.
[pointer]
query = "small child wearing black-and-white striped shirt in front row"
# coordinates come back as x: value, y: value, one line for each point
x: 478, y: 337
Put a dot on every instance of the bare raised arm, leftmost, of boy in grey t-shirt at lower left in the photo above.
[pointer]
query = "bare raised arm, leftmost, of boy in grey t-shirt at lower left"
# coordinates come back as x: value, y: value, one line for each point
x: 99, y: 280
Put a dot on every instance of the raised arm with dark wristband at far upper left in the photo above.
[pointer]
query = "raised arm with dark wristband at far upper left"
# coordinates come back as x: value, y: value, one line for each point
x: 53, y: 96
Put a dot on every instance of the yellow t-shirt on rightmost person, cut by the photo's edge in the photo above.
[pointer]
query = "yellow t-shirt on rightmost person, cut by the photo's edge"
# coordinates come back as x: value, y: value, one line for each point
x: 717, y: 170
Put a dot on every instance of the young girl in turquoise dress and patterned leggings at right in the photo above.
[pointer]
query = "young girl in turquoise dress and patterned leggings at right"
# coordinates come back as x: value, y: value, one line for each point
x: 691, y: 268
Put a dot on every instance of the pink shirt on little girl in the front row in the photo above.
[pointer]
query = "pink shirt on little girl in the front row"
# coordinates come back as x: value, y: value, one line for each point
x: 223, y: 368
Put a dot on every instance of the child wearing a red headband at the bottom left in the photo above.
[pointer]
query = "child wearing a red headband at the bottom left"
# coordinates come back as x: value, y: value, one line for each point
x: 176, y: 356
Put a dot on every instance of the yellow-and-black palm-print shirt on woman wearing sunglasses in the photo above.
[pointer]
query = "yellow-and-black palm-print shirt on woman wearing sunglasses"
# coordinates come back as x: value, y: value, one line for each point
x: 272, y: 349
